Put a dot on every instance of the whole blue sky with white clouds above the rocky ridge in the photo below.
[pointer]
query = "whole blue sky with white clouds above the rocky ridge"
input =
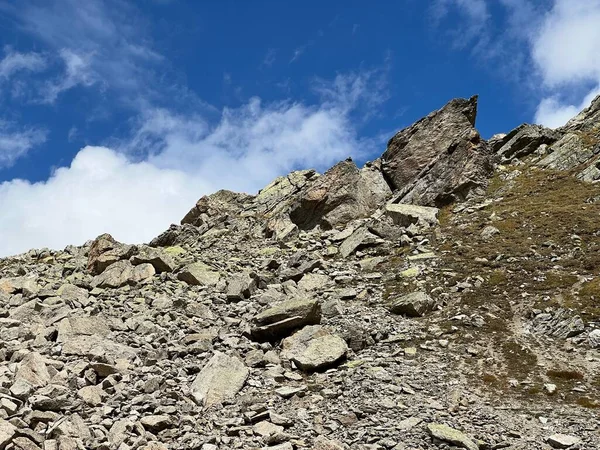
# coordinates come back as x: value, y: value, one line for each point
x: 118, y: 115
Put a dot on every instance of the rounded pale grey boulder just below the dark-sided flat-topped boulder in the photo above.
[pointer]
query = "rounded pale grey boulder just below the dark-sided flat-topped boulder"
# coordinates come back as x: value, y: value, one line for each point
x: 314, y: 348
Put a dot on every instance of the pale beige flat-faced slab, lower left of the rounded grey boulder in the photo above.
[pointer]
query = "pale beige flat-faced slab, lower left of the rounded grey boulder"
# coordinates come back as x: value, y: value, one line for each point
x: 219, y: 380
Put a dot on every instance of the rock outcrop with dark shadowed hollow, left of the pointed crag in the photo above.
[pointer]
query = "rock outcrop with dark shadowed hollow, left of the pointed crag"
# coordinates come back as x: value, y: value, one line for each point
x: 342, y: 194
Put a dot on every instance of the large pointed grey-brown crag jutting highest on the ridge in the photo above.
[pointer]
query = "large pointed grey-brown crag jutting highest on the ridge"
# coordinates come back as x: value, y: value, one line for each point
x: 439, y: 159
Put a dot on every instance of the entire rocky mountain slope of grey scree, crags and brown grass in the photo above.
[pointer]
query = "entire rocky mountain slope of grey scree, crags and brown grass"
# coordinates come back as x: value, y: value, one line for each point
x: 445, y: 295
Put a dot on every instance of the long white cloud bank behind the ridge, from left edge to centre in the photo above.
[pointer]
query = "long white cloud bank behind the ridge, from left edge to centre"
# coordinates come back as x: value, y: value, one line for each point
x: 143, y: 184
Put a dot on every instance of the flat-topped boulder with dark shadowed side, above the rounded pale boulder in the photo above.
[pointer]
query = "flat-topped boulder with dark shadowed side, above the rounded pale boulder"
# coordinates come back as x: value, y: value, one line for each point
x: 280, y: 320
